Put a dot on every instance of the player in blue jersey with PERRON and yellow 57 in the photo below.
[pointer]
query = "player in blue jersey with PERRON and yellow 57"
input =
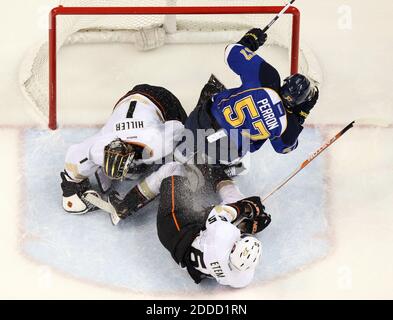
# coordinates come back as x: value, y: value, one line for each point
x: 260, y: 109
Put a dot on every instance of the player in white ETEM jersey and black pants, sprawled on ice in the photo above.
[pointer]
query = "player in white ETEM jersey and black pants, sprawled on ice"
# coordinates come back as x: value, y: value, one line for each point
x: 217, y: 242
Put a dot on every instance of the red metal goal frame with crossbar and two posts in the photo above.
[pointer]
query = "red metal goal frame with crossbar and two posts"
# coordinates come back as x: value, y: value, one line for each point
x: 60, y: 11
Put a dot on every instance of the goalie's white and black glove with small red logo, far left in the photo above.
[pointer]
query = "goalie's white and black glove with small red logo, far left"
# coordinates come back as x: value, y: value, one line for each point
x: 73, y: 201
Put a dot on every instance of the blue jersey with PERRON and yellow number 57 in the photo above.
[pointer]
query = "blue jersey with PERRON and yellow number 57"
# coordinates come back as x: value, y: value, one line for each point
x: 256, y: 112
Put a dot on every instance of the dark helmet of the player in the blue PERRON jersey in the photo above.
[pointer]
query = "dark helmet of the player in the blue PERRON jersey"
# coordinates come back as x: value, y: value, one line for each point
x: 296, y: 89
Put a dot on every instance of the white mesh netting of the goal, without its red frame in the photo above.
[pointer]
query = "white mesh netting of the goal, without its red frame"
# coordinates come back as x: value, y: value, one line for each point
x: 149, y: 32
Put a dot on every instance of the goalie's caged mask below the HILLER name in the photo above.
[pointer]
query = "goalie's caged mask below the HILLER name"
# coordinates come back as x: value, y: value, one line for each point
x: 118, y: 158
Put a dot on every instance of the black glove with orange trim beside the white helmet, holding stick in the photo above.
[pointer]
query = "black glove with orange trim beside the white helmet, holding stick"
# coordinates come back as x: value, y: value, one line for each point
x: 252, y: 217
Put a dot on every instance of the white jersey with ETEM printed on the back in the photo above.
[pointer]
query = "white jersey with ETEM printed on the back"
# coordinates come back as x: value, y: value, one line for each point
x: 212, y: 247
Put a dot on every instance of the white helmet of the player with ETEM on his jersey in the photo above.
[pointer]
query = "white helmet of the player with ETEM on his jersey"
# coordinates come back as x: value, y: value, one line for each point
x: 246, y: 253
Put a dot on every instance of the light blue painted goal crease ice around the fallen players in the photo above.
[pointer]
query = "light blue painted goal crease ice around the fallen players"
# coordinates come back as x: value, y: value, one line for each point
x: 89, y: 247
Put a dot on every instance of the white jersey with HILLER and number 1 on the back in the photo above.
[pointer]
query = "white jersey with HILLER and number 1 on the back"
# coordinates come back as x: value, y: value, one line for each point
x: 135, y: 120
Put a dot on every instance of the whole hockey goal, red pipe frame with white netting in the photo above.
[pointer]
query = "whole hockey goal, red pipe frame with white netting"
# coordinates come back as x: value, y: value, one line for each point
x: 150, y: 24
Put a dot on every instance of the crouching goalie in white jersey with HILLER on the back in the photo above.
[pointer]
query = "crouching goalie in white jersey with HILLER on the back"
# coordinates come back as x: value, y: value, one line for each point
x: 141, y: 131
